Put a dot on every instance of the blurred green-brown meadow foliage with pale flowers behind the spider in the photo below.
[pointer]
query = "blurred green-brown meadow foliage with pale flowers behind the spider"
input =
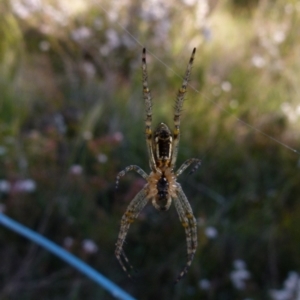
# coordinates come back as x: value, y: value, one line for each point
x: 71, y: 117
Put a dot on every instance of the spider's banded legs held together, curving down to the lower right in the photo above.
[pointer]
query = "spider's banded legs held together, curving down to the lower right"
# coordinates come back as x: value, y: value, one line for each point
x: 190, y: 226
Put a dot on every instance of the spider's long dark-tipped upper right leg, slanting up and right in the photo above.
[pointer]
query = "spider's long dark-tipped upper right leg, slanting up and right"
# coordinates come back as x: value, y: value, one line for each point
x: 178, y: 108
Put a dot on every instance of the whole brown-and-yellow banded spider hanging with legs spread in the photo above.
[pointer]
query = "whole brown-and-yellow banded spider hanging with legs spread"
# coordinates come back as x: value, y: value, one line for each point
x: 161, y: 187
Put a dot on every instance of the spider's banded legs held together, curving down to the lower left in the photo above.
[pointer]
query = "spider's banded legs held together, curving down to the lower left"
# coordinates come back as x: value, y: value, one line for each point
x: 132, y: 212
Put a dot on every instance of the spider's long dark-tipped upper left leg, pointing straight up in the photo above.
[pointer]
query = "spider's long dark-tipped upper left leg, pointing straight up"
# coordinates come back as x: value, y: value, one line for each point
x: 148, y: 105
